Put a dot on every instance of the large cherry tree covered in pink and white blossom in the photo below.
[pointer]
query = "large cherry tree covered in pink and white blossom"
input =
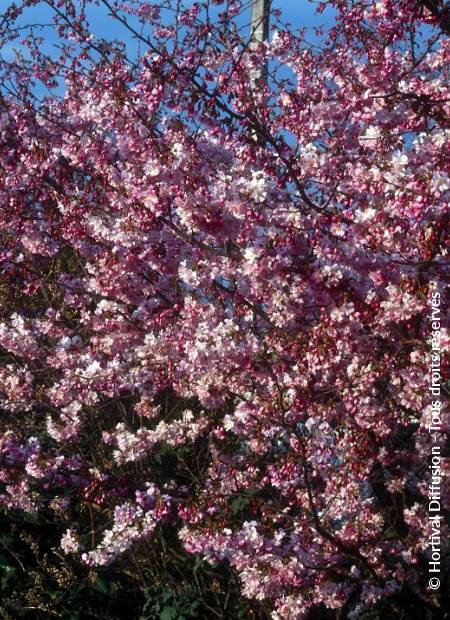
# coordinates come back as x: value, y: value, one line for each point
x: 214, y: 307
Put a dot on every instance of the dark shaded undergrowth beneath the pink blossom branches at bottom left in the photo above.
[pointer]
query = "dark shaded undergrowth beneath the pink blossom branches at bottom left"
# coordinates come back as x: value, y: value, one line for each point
x: 159, y: 581
